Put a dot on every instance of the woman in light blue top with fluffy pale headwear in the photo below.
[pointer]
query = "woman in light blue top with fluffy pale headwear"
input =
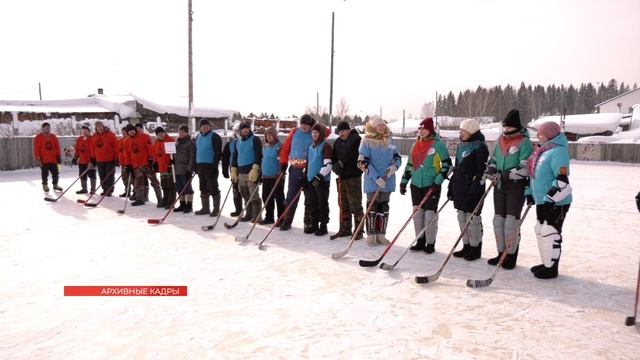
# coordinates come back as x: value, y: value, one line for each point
x: 379, y: 160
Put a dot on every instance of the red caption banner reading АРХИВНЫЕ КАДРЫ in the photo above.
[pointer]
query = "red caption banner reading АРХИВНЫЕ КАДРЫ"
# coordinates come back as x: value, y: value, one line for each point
x: 125, y: 290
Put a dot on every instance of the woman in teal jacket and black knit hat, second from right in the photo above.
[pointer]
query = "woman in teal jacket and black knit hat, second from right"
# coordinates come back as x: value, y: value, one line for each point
x: 508, y: 169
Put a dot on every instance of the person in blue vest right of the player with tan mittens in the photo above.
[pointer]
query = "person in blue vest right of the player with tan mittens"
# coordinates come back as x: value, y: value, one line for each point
x: 270, y: 173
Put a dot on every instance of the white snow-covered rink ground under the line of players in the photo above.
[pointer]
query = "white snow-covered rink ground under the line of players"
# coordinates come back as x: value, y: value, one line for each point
x: 293, y: 301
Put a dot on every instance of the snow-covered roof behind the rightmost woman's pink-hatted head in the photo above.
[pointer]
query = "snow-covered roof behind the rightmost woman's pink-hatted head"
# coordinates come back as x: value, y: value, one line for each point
x: 584, y: 124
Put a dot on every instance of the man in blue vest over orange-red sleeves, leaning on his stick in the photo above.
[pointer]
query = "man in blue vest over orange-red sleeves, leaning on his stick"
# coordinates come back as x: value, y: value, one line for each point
x: 293, y: 157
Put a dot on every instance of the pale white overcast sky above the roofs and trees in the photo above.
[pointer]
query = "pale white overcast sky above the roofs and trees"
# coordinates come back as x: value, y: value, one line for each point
x: 273, y: 56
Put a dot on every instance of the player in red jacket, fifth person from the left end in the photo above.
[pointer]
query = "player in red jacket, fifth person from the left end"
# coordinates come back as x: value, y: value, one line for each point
x: 140, y: 151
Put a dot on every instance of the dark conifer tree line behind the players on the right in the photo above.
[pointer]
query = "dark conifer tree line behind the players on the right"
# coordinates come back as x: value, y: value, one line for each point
x: 532, y: 101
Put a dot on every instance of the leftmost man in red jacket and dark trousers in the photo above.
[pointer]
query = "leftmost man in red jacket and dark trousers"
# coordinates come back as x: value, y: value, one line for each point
x: 46, y: 150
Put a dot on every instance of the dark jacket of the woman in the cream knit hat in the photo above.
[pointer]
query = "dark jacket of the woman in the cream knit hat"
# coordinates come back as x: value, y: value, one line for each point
x: 466, y: 186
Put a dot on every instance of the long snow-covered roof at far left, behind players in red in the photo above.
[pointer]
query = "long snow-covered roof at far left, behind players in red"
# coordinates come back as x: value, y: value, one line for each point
x: 122, y: 105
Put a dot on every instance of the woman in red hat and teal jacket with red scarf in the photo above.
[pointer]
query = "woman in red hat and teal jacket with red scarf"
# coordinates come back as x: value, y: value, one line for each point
x: 427, y: 167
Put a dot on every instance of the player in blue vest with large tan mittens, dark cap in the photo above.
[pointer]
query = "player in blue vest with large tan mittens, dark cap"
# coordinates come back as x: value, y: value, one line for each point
x: 245, y: 170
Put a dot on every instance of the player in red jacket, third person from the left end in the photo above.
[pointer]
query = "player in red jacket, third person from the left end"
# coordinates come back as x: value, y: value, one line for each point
x: 103, y: 155
